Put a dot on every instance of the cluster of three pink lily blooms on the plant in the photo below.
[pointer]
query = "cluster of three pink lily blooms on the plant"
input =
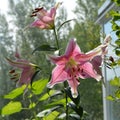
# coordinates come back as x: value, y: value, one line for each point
x: 71, y: 66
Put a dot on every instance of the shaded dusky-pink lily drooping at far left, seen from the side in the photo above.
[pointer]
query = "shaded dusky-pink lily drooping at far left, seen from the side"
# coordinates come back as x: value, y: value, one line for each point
x: 27, y: 69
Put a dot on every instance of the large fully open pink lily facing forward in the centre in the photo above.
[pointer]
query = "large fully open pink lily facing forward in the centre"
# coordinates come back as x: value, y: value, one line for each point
x: 74, y: 65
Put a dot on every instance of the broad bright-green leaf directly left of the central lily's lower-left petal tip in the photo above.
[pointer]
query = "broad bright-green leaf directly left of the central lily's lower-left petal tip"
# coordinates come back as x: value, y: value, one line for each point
x: 39, y: 85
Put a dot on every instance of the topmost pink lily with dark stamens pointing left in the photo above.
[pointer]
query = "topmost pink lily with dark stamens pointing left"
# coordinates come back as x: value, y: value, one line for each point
x: 45, y: 18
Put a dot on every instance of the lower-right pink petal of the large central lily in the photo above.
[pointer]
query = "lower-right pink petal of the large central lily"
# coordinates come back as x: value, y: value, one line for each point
x: 87, y: 71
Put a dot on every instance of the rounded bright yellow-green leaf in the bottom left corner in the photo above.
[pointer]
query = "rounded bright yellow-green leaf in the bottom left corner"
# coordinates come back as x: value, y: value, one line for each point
x: 11, y: 107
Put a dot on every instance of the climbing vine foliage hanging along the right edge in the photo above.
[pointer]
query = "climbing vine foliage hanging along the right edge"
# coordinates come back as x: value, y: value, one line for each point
x: 114, y: 63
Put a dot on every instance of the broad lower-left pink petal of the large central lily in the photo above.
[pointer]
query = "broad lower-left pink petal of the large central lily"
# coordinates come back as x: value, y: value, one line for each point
x: 58, y: 75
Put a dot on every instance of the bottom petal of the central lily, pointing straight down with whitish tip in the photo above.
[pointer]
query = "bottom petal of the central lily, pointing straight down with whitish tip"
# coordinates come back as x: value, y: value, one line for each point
x: 73, y: 83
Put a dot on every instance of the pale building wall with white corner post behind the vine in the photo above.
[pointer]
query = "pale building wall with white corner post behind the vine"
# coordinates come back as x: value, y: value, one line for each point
x: 111, y: 109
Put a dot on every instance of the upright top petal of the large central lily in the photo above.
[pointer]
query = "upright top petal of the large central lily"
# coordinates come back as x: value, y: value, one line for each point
x: 72, y: 49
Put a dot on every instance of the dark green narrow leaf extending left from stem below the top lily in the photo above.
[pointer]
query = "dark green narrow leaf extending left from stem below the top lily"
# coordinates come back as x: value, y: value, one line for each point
x: 45, y: 47
